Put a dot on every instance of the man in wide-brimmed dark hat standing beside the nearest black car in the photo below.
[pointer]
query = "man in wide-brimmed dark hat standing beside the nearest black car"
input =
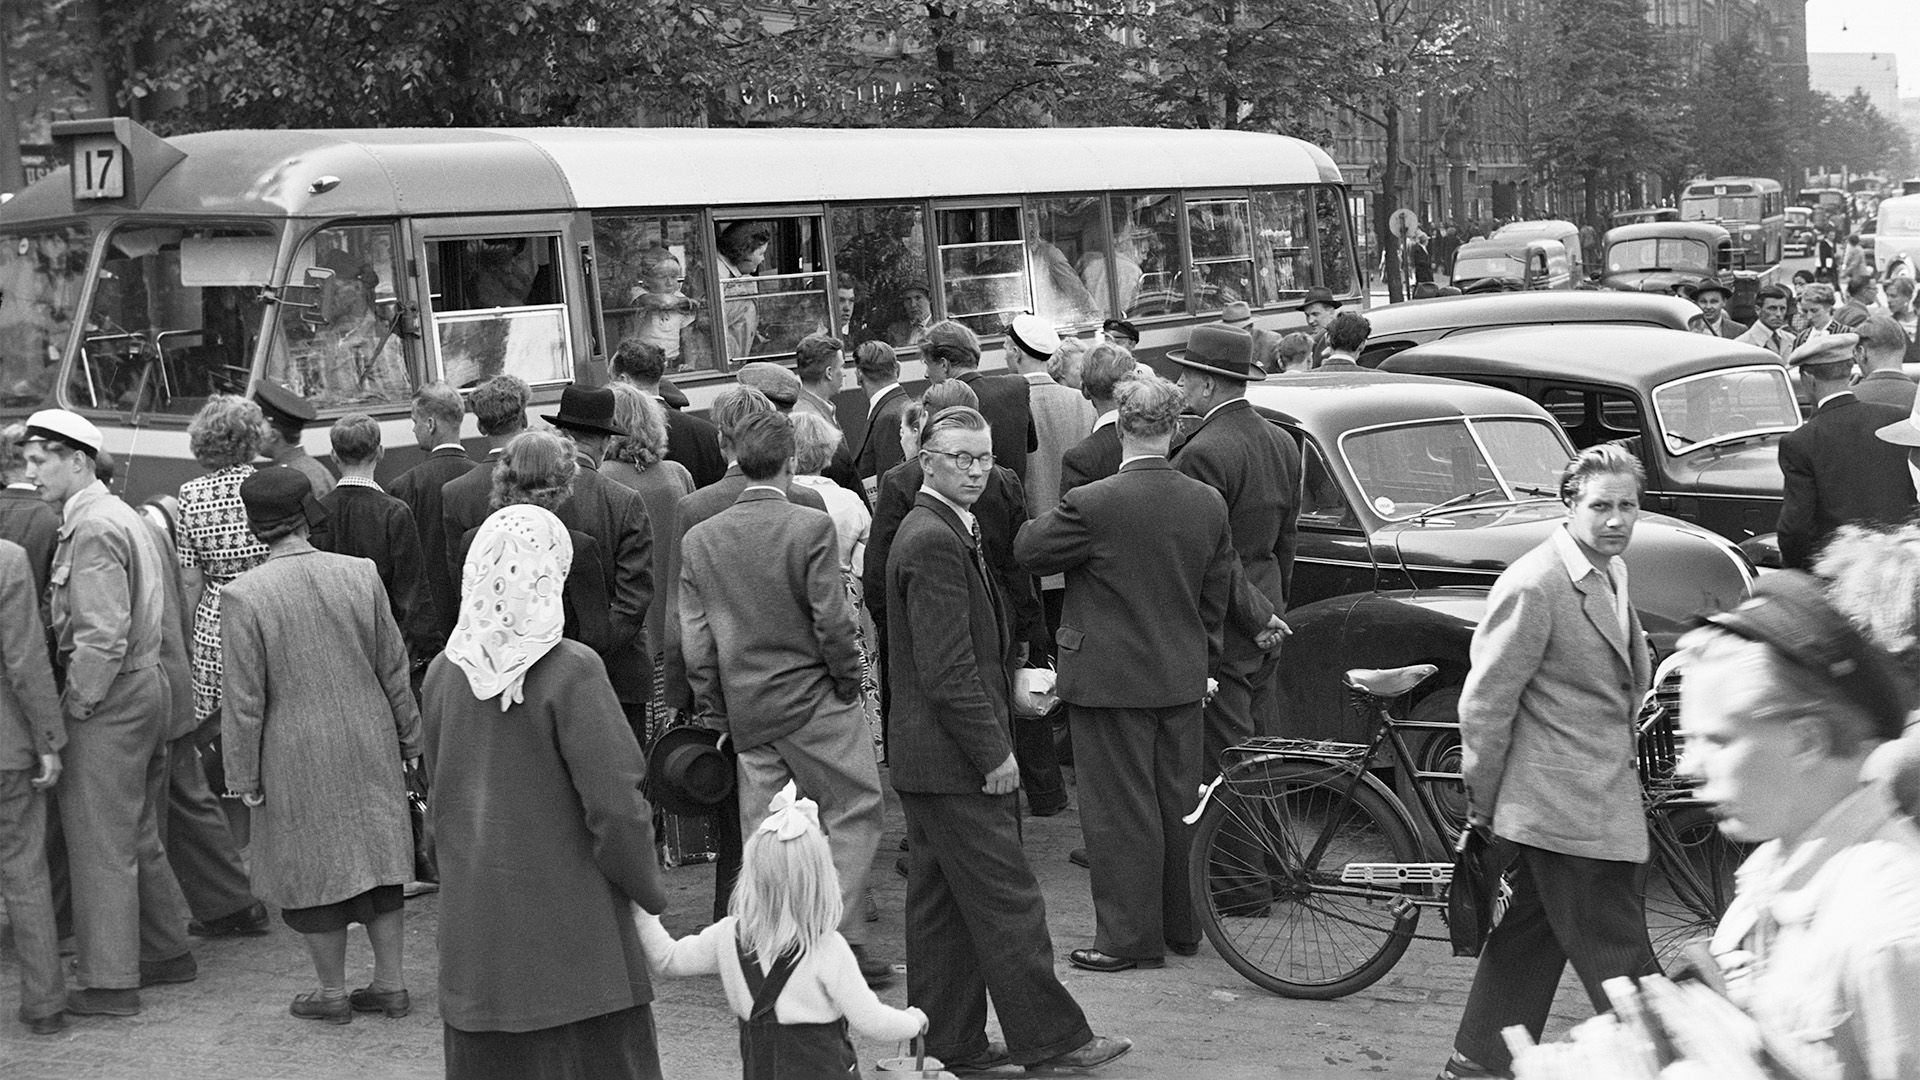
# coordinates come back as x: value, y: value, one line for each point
x: 1257, y: 470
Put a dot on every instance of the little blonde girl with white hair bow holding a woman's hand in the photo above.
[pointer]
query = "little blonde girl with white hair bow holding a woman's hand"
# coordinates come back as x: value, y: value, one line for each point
x: 788, y: 973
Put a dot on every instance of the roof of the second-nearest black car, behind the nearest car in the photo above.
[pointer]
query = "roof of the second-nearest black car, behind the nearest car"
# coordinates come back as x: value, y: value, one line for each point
x: 1621, y: 356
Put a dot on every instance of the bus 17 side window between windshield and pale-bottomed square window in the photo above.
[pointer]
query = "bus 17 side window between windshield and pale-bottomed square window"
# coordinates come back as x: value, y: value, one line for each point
x: 347, y: 349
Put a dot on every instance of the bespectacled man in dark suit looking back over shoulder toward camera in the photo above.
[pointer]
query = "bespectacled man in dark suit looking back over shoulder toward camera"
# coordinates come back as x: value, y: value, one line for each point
x: 976, y: 923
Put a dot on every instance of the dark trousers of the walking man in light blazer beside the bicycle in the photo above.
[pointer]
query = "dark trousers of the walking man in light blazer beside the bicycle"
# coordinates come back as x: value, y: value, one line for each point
x: 1566, y: 908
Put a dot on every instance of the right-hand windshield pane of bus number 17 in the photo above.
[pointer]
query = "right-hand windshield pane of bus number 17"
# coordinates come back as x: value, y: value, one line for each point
x: 174, y: 318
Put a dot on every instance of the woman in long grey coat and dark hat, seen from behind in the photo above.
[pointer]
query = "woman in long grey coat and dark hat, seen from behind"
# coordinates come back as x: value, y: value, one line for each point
x: 318, y: 718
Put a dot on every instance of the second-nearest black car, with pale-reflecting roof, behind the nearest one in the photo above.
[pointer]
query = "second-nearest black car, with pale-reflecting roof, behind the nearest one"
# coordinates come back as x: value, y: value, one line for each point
x: 1702, y: 414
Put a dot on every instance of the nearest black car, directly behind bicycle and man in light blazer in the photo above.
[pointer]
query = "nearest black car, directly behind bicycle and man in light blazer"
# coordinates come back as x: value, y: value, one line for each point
x: 1416, y: 493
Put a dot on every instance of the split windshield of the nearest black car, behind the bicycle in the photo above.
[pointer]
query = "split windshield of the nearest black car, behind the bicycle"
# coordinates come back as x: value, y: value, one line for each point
x: 1462, y: 460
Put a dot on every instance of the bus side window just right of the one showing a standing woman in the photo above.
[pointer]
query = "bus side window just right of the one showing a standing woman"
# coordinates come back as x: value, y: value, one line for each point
x: 880, y: 266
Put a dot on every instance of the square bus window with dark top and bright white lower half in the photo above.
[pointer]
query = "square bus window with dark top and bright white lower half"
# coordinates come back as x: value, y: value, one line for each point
x: 498, y: 308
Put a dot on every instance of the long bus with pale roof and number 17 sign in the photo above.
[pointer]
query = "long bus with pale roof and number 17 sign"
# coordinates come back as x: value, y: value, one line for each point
x: 350, y: 266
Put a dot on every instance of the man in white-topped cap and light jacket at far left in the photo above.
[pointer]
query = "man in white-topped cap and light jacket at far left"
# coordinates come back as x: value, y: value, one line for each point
x: 107, y: 597
